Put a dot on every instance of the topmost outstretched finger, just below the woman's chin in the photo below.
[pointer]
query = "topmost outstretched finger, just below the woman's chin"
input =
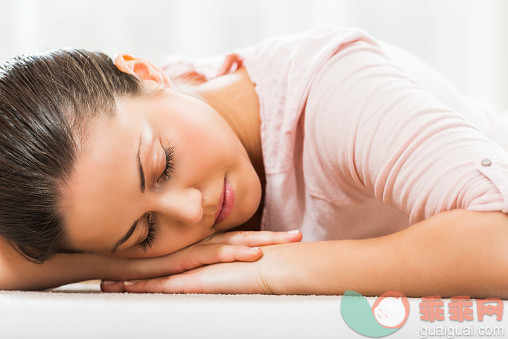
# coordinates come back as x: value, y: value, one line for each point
x: 253, y: 238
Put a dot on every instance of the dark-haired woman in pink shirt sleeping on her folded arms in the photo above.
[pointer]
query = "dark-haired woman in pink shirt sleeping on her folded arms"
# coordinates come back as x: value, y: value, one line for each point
x: 319, y: 131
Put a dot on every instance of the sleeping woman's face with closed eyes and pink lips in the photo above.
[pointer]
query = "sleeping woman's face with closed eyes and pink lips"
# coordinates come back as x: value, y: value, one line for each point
x: 104, y: 197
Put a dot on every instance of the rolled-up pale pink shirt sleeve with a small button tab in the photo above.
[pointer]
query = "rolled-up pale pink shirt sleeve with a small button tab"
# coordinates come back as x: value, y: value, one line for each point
x: 383, y: 134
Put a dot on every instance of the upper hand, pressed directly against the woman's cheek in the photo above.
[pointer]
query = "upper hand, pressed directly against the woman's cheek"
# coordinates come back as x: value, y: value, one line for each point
x: 217, y: 248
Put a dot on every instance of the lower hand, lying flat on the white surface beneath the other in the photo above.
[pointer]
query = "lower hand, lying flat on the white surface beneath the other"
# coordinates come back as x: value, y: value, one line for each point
x: 271, y: 274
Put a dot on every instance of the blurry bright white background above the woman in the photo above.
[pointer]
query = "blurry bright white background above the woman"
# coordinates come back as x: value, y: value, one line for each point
x: 465, y: 40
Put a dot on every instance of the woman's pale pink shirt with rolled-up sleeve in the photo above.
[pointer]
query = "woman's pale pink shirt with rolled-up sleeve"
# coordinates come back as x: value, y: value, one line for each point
x: 362, y: 139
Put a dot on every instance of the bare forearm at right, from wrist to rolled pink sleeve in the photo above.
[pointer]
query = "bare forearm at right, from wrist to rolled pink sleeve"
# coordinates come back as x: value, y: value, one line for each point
x: 453, y: 253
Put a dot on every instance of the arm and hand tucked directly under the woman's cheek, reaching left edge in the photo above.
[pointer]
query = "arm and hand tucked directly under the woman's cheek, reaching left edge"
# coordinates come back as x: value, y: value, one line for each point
x: 18, y: 273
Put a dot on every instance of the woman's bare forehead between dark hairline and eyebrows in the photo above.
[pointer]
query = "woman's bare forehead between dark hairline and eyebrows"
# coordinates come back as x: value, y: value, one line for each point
x: 104, y: 181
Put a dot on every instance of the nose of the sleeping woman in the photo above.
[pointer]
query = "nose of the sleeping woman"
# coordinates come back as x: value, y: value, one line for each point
x: 182, y: 206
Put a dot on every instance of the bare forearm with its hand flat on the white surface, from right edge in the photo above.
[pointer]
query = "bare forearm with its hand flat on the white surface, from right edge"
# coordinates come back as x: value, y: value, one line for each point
x: 454, y: 253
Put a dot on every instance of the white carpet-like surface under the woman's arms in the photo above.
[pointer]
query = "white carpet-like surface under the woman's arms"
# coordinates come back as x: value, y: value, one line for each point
x: 81, y: 310
